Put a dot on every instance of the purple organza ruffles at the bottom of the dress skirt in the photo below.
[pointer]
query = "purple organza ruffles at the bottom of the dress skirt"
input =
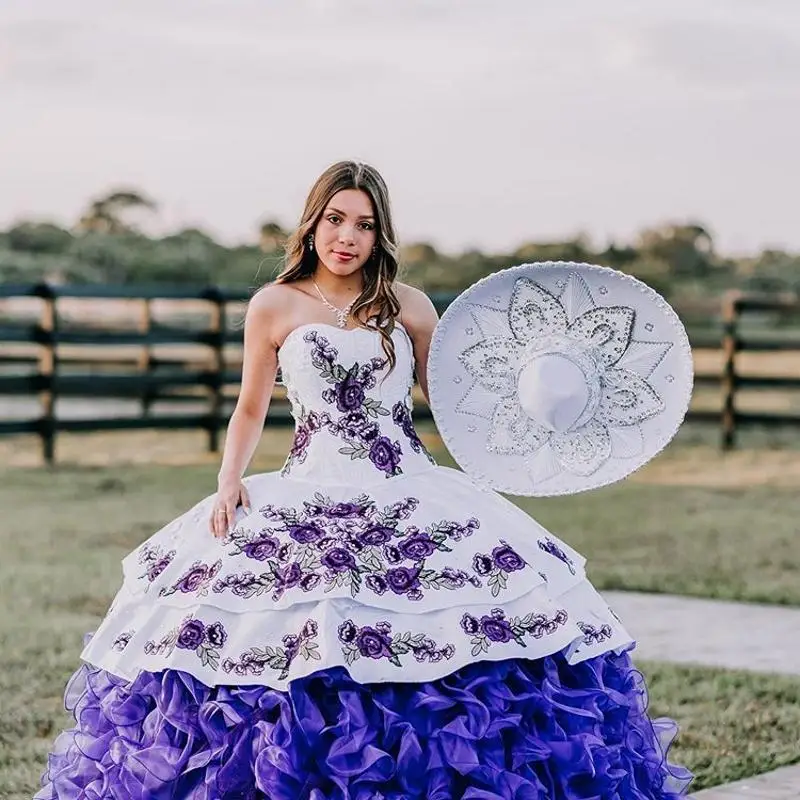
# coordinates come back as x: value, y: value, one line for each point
x: 511, y: 729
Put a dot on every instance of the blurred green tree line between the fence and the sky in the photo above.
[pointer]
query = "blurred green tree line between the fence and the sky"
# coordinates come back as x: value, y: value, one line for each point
x: 107, y: 245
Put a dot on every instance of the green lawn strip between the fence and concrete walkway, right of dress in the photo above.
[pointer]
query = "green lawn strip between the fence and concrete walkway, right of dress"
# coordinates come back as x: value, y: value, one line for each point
x: 737, y: 543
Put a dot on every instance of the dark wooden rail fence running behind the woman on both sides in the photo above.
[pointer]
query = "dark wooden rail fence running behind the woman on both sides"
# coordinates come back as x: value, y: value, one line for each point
x: 56, y: 355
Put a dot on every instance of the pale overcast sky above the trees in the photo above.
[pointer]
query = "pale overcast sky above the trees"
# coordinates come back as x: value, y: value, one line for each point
x: 493, y: 122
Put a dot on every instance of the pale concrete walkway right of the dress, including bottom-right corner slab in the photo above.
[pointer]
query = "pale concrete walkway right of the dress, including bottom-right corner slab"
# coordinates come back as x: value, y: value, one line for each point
x: 716, y: 633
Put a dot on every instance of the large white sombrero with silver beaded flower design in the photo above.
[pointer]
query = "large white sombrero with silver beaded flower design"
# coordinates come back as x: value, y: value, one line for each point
x: 558, y: 377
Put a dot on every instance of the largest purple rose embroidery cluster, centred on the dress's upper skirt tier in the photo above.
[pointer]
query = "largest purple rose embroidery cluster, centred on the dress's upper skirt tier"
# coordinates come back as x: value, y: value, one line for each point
x: 350, y: 544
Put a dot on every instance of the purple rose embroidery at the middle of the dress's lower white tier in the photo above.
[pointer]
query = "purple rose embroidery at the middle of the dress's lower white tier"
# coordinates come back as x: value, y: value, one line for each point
x: 378, y: 642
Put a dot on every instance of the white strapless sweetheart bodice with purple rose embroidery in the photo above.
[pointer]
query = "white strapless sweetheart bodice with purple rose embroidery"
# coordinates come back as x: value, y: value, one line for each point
x: 352, y: 414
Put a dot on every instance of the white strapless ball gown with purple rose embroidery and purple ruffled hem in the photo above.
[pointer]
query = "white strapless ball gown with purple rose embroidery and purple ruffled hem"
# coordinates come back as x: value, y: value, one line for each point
x: 377, y: 627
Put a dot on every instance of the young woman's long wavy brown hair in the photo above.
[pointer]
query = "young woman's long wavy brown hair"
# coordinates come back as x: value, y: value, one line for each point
x: 380, y: 270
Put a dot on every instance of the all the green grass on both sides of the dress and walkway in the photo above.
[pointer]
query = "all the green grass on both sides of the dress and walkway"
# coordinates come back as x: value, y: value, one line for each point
x: 63, y: 532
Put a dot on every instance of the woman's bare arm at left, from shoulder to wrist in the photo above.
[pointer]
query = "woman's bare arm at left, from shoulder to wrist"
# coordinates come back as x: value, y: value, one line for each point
x: 259, y: 368
